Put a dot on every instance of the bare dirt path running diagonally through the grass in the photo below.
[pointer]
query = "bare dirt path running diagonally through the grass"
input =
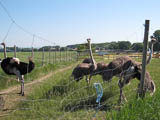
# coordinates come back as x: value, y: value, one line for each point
x: 11, y: 97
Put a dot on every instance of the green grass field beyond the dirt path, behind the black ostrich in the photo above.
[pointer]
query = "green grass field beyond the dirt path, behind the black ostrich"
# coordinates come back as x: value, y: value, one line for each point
x: 40, y: 70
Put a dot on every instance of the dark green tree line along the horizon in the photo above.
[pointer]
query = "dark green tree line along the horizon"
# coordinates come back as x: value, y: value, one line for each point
x: 120, y: 45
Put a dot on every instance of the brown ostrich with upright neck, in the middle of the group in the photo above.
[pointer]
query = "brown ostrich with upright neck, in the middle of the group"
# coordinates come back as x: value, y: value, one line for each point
x: 85, y: 68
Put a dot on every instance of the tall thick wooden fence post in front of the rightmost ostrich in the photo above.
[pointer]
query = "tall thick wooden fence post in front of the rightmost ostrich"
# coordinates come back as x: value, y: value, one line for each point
x: 145, y: 42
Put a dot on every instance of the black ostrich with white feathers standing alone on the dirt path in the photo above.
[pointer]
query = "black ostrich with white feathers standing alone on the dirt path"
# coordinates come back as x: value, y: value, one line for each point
x: 13, y: 66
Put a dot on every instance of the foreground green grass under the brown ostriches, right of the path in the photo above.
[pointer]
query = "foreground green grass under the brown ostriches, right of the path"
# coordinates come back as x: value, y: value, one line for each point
x: 62, y: 98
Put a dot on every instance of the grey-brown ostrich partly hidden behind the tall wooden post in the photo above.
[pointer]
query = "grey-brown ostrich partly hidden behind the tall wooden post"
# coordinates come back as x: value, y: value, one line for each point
x: 126, y: 68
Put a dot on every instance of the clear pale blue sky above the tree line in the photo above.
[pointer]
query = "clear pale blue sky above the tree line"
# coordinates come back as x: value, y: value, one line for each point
x: 66, y: 22
